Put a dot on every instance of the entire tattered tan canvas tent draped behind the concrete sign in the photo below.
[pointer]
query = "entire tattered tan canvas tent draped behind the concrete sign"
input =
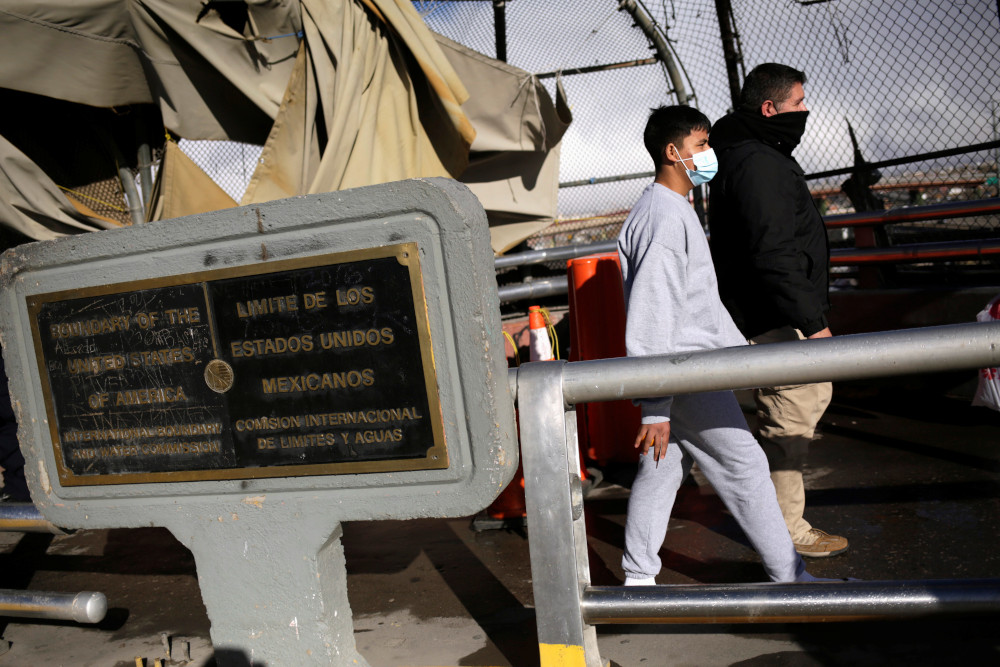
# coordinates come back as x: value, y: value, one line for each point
x: 341, y: 93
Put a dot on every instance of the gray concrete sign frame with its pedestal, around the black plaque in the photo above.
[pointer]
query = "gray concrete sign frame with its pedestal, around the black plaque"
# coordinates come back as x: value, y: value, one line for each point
x: 246, y: 531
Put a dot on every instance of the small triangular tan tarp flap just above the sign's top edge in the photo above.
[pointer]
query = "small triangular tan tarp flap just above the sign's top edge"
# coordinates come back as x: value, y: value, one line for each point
x: 182, y: 188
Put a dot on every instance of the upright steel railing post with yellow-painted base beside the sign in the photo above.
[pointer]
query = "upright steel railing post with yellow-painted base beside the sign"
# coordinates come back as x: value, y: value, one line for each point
x: 557, y: 537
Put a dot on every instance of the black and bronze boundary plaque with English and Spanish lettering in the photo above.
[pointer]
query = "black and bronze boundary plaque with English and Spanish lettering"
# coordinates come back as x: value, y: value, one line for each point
x: 275, y: 386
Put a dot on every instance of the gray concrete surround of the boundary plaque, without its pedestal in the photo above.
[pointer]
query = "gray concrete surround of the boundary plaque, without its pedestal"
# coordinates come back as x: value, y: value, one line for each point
x: 475, y: 434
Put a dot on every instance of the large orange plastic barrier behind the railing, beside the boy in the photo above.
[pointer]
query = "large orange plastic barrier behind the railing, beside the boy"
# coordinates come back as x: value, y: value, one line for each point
x: 597, y: 331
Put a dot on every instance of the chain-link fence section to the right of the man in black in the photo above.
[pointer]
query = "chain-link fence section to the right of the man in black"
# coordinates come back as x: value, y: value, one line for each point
x: 911, y: 79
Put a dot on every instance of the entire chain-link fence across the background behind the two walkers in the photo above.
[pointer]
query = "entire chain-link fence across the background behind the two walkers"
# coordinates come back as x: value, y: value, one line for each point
x: 916, y: 82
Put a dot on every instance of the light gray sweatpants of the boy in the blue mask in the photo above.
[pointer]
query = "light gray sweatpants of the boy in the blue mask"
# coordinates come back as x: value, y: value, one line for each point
x: 708, y: 429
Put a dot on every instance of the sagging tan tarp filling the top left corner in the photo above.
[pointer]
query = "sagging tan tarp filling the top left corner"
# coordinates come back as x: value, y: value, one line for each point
x: 210, y: 81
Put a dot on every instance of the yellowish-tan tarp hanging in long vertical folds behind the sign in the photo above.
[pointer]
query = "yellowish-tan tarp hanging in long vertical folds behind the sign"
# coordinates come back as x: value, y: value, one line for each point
x: 353, y: 114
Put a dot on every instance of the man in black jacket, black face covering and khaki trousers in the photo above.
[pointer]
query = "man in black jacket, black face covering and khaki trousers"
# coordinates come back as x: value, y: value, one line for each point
x: 771, y: 255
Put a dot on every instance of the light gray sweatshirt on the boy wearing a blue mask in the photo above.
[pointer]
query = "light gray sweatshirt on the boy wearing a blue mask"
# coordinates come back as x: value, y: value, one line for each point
x: 671, y: 295
